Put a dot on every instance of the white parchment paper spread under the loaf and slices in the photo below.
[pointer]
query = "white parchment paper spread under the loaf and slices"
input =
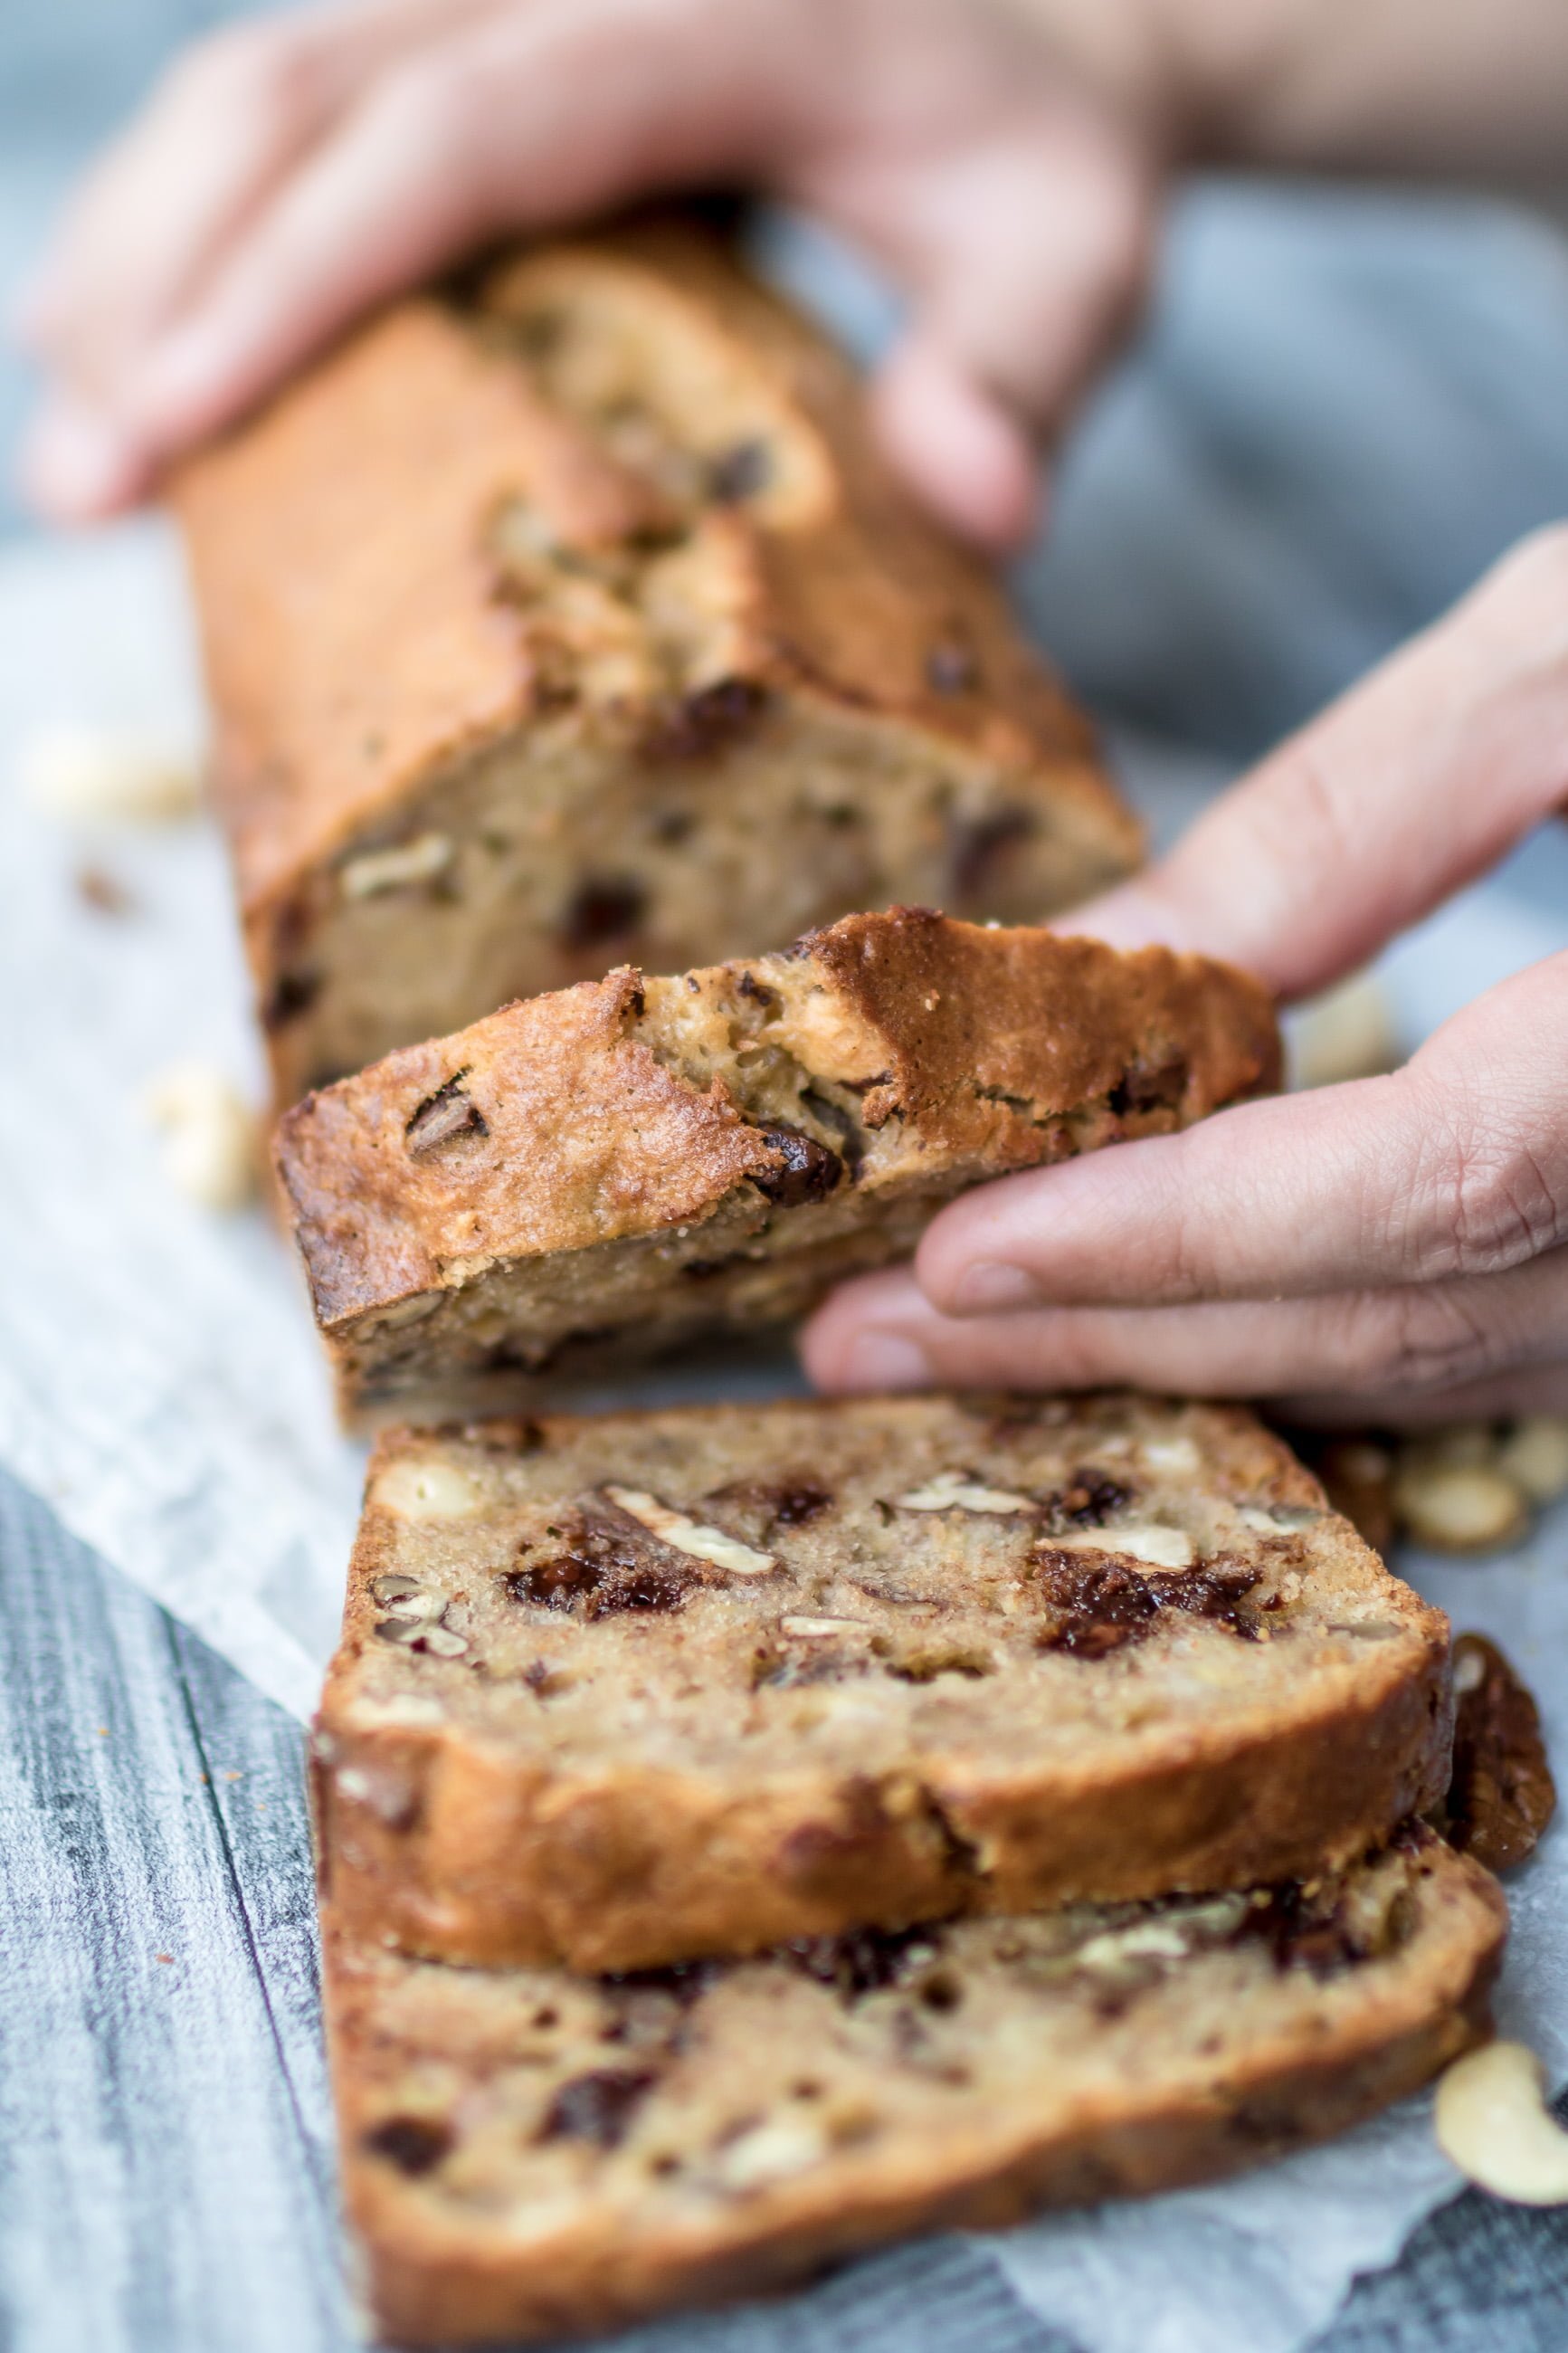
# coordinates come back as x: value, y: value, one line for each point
x: 161, y: 1387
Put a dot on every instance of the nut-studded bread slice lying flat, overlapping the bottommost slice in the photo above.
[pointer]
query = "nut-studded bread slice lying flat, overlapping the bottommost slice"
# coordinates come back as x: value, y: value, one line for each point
x: 638, y: 1688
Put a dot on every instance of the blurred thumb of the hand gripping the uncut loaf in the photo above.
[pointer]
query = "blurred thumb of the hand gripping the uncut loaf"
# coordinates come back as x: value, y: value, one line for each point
x: 1028, y: 258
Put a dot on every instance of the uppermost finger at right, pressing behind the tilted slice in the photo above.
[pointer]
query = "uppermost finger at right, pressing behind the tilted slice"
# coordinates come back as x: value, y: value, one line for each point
x: 1369, y: 818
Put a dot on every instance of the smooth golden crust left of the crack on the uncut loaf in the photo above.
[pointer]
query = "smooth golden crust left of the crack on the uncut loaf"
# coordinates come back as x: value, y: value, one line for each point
x: 347, y: 589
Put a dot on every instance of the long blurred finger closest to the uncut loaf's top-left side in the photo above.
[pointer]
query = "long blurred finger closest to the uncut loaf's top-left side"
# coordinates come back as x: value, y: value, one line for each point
x: 549, y: 112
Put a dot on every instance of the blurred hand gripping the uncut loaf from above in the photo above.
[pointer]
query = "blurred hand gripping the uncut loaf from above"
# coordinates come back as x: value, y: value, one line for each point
x: 295, y: 171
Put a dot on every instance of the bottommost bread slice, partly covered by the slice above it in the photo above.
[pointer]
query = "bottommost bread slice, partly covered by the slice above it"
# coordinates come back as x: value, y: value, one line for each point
x: 532, y: 2154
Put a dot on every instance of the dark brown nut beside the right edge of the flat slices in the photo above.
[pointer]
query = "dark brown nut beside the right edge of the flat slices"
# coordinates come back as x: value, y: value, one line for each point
x: 1501, y: 1797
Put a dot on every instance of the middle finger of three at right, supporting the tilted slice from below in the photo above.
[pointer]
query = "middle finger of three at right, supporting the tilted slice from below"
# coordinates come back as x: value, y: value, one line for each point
x: 1454, y: 1166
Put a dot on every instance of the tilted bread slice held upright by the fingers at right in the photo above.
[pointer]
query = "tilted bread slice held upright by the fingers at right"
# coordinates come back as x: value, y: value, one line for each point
x: 641, y: 1161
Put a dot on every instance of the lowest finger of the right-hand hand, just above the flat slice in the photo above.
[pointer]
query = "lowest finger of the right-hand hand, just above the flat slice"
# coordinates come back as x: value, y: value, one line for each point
x: 1416, y: 1342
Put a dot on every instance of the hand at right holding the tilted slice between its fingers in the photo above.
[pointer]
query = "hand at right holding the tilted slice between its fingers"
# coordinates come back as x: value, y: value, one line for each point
x: 1388, y: 1251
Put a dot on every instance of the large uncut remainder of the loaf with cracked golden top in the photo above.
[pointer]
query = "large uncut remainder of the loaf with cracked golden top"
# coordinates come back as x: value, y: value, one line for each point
x: 572, y: 618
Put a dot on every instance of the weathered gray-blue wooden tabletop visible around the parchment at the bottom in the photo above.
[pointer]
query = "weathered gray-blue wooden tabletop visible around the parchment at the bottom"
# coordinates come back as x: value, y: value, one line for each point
x: 166, y: 2152
